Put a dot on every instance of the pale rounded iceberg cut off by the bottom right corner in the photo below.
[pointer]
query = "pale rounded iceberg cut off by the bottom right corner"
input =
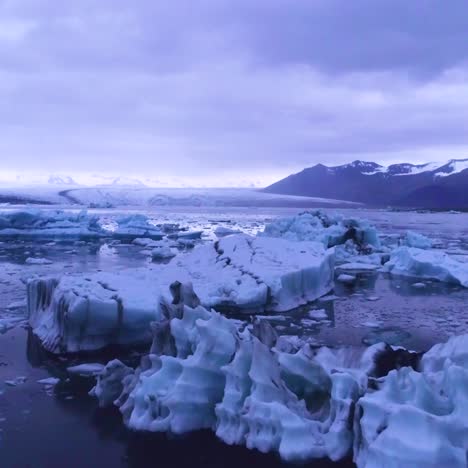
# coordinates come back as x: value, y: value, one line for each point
x: 417, y: 418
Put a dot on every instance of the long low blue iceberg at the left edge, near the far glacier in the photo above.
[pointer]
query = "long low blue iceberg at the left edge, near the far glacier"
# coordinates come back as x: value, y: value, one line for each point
x: 34, y: 223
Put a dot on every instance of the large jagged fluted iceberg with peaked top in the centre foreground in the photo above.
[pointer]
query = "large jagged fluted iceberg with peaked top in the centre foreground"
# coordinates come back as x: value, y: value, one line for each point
x: 204, y: 371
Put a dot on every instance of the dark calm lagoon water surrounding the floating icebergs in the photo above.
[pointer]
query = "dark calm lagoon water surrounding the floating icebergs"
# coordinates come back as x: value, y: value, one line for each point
x: 60, y: 427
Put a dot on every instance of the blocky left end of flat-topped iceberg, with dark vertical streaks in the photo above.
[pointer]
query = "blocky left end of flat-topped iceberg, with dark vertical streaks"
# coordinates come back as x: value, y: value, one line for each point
x: 87, y: 313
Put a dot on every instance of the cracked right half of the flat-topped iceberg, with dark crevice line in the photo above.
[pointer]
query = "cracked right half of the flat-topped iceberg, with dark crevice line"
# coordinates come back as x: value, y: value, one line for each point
x: 257, y: 274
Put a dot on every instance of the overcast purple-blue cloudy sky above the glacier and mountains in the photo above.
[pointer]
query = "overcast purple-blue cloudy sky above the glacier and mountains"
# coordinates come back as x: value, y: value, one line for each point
x: 224, y: 90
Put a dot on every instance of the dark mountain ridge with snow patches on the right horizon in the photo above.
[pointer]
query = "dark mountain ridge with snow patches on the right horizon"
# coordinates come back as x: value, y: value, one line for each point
x: 431, y: 185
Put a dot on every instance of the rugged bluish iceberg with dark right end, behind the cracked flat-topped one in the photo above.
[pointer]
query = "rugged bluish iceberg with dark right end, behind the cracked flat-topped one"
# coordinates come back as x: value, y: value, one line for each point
x: 327, y: 229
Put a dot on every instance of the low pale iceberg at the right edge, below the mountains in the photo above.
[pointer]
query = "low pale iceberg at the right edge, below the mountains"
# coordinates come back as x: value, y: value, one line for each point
x: 428, y: 264
